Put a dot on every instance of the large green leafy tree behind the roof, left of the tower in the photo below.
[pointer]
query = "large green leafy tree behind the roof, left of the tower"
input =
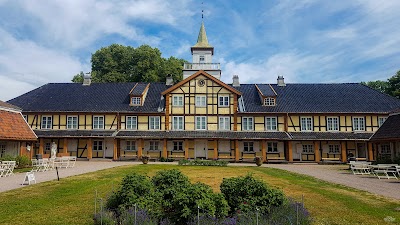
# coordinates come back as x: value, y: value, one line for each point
x: 118, y: 63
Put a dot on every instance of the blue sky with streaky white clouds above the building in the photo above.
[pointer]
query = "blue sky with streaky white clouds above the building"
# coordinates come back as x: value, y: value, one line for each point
x: 308, y: 41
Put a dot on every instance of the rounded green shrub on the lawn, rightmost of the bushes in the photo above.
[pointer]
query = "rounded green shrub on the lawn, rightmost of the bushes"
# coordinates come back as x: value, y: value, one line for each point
x: 247, y: 194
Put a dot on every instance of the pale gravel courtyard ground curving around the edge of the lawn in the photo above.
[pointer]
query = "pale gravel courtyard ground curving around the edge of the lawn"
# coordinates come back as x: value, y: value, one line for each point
x: 331, y: 173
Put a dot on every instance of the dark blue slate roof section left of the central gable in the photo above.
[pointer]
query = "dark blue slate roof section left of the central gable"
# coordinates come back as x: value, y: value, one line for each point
x: 97, y: 97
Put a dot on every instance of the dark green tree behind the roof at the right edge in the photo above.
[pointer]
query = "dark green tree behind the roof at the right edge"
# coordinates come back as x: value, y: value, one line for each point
x: 390, y: 87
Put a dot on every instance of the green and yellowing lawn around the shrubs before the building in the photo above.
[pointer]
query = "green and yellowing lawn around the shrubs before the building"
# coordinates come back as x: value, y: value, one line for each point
x: 71, y: 200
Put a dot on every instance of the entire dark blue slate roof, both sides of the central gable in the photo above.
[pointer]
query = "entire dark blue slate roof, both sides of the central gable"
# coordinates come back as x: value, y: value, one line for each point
x: 292, y: 98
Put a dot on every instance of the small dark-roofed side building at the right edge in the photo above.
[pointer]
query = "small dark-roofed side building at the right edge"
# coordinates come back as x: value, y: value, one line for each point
x: 387, y: 138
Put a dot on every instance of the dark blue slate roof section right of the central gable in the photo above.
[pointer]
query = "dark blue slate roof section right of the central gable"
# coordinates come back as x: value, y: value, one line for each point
x: 324, y: 98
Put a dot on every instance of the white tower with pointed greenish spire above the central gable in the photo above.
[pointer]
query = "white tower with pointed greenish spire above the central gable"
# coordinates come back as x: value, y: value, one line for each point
x: 202, y: 53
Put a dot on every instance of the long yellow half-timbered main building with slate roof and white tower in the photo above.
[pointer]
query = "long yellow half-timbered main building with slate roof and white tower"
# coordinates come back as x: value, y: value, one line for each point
x: 203, y: 117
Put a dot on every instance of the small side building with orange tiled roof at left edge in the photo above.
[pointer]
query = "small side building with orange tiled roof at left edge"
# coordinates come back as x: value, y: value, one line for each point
x: 16, y: 136
